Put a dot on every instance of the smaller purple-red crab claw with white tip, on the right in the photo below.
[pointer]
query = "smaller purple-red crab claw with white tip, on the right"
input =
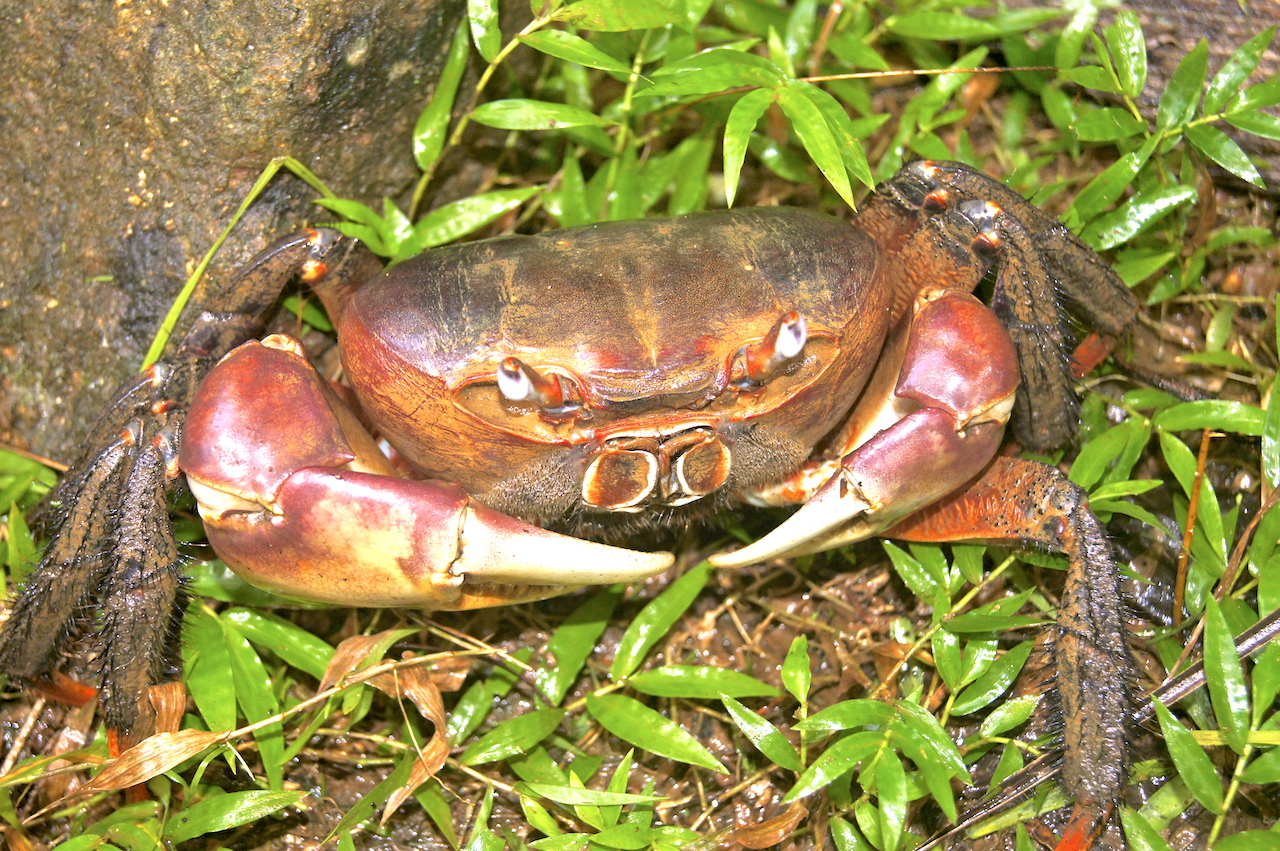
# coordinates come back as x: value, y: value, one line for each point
x: 938, y: 431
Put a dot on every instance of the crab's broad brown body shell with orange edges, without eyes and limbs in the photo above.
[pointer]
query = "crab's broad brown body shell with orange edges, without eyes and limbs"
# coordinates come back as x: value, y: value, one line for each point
x: 644, y: 321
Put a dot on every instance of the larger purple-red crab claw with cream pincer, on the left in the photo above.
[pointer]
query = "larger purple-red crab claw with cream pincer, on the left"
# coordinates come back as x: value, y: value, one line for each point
x: 298, y: 498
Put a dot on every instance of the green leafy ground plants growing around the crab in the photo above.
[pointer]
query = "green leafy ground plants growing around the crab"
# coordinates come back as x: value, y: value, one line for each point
x: 671, y: 107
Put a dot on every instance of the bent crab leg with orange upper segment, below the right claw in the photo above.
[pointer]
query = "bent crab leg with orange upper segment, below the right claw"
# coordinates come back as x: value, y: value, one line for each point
x: 1034, y: 504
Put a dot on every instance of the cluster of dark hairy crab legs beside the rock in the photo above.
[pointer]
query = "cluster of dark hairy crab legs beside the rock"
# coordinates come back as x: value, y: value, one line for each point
x: 112, y: 543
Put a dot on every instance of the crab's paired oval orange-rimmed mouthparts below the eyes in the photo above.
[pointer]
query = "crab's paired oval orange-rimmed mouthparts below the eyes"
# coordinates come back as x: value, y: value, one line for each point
x: 632, y: 473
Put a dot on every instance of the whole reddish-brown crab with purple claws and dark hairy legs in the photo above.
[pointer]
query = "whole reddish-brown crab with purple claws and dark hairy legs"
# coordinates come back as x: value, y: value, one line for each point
x: 514, y: 410
